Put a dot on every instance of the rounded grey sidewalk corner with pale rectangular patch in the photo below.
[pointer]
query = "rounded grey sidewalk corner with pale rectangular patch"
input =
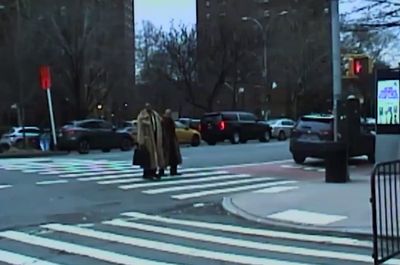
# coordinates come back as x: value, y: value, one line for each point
x: 310, y: 205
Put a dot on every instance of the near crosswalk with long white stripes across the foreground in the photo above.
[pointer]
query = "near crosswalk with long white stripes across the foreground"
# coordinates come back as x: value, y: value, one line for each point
x: 138, y: 238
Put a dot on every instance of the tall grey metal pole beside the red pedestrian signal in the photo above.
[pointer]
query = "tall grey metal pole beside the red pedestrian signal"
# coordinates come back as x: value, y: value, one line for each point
x: 337, y: 80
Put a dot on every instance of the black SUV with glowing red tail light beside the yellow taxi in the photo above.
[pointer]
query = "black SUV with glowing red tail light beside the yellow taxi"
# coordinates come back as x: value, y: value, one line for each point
x: 238, y: 127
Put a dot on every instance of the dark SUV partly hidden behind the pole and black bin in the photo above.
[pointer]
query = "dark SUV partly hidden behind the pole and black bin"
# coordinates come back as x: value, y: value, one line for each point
x: 313, y: 129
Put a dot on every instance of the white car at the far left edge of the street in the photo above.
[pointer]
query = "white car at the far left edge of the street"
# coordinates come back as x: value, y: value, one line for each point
x: 15, y: 137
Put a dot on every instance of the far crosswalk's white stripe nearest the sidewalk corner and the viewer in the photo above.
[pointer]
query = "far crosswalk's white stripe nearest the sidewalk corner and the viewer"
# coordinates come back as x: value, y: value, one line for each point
x: 229, y: 190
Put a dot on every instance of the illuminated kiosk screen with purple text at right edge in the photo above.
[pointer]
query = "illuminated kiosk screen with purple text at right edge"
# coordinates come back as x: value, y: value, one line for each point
x: 388, y: 102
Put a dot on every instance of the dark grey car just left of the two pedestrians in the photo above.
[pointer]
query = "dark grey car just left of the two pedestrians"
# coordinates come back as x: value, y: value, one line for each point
x: 85, y: 135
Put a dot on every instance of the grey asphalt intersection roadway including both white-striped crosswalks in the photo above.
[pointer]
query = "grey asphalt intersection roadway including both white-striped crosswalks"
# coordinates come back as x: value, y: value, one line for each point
x: 96, y: 209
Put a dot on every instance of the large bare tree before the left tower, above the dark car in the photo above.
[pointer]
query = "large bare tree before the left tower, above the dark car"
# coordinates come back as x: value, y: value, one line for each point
x: 87, y: 55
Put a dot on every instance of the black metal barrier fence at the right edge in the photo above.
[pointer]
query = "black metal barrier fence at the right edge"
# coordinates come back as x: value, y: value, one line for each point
x: 385, y: 197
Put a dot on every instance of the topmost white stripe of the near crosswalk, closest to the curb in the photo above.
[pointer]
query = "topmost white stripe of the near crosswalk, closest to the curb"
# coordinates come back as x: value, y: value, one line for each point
x: 252, y: 231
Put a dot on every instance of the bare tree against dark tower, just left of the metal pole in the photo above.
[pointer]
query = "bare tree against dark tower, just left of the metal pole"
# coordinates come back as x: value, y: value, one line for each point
x: 304, y: 59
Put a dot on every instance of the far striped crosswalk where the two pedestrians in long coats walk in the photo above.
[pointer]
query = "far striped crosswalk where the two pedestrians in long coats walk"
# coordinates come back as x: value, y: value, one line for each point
x: 194, y: 183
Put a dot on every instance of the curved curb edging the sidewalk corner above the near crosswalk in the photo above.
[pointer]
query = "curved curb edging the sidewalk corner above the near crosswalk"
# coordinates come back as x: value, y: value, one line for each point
x: 229, y: 206
